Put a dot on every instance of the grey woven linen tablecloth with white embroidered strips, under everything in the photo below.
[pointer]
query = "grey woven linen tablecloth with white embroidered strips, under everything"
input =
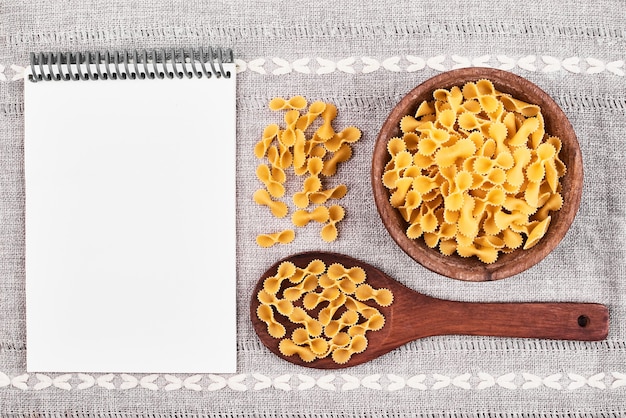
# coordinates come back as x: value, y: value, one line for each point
x: 362, y: 56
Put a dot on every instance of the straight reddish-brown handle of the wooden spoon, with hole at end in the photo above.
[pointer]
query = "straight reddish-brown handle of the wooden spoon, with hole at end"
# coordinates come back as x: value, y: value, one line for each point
x: 562, y: 321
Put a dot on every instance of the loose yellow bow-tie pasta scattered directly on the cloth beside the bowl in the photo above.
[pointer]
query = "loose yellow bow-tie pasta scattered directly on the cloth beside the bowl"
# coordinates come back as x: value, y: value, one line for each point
x: 308, y: 146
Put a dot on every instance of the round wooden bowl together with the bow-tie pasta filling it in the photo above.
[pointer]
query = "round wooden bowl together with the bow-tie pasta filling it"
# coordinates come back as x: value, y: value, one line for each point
x: 477, y: 174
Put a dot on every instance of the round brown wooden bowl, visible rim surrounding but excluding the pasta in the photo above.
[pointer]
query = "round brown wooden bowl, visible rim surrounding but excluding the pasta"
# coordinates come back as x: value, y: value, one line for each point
x: 472, y: 269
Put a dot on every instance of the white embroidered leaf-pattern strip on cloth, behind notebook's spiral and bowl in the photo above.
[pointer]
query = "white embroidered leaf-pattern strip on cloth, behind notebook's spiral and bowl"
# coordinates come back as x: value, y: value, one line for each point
x: 406, y: 63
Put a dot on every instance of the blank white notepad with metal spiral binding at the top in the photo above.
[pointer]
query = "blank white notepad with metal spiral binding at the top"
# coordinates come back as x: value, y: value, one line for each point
x: 130, y: 211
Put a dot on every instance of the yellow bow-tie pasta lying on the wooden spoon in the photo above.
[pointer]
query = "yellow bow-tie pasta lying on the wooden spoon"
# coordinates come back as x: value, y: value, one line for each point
x: 328, y: 305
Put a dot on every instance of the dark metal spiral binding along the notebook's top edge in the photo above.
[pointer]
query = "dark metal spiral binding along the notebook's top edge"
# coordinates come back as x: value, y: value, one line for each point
x: 132, y: 64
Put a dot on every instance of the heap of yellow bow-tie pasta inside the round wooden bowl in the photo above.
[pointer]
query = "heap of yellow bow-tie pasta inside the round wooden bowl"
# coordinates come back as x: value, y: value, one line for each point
x: 475, y: 172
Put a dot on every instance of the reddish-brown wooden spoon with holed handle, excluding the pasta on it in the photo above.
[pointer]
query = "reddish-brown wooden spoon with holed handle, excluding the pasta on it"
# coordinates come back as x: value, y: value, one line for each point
x: 413, y: 315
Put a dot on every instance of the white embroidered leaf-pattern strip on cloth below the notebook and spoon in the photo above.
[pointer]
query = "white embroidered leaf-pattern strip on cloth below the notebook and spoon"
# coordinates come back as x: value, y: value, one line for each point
x: 329, y: 382
